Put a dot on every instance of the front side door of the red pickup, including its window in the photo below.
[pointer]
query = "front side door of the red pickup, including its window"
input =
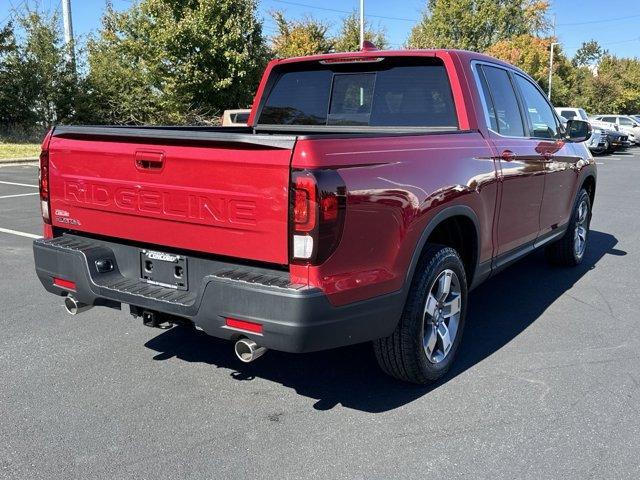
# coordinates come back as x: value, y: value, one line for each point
x: 558, y: 157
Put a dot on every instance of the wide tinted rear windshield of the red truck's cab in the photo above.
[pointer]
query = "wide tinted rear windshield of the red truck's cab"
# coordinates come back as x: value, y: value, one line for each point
x: 384, y: 94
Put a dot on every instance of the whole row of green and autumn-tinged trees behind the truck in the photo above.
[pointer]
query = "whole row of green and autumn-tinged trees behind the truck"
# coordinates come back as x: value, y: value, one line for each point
x: 184, y: 61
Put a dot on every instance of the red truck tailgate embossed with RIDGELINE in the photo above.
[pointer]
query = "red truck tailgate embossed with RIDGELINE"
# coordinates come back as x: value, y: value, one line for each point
x: 220, y: 194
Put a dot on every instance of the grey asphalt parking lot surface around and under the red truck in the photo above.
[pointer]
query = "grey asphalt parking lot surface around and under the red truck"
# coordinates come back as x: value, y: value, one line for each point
x: 546, y: 384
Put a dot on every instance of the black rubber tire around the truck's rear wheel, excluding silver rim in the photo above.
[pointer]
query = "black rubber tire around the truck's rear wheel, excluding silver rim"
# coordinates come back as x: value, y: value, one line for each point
x: 402, y: 355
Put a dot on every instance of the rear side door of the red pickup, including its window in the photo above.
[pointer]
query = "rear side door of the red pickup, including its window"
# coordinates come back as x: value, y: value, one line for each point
x: 521, y: 173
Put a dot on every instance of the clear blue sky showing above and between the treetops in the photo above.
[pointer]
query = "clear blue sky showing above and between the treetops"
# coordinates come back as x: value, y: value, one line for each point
x: 615, y: 24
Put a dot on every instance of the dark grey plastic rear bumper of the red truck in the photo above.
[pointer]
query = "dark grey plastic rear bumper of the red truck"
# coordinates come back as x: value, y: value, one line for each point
x: 295, y: 318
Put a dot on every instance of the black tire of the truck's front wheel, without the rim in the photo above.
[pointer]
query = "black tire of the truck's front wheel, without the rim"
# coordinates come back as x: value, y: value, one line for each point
x: 564, y: 252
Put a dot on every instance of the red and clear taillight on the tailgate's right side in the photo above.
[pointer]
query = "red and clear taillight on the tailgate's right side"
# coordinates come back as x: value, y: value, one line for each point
x: 318, y: 200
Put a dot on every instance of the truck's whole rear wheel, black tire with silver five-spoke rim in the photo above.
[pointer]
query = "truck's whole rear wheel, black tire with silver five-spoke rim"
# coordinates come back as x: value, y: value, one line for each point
x: 425, y: 341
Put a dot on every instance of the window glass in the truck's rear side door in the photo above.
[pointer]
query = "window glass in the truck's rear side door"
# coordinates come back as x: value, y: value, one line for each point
x: 505, y: 104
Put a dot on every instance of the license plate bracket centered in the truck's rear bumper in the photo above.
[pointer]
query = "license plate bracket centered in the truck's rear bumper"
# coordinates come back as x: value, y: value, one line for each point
x: 164, y: 269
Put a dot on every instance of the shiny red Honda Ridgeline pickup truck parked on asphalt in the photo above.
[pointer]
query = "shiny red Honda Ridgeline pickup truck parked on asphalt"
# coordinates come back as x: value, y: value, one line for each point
x: 368, y: 194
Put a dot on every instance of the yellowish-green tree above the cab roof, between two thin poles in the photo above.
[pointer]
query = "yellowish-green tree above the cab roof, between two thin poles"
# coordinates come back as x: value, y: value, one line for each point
x: 477, y: 24
